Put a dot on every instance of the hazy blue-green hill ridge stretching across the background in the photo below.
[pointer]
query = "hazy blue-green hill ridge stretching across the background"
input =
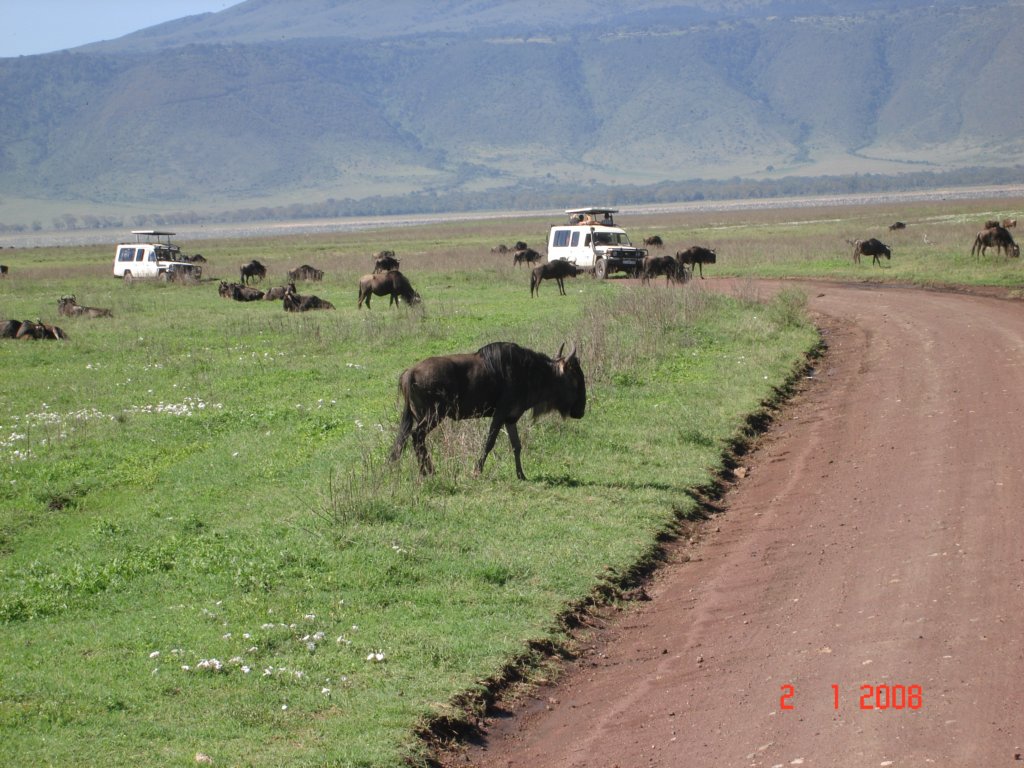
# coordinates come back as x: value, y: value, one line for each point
x: 313, y: 100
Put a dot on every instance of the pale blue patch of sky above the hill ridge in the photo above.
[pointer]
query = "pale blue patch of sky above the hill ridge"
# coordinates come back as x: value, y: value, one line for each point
x: 44, y: 26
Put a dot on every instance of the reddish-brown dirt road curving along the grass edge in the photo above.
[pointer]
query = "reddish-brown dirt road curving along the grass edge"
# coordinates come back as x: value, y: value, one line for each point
x: 861, y: 603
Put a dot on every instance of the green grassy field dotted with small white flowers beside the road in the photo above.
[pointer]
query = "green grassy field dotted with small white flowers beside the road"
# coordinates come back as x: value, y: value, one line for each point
x: 205, y: 552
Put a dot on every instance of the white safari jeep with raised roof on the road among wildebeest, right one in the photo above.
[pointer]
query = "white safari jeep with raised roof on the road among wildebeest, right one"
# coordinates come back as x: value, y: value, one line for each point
x: 592, y: 241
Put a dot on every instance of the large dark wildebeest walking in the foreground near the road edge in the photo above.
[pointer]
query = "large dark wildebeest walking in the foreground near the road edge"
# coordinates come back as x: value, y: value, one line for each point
x: 501, y: 381
